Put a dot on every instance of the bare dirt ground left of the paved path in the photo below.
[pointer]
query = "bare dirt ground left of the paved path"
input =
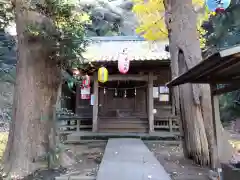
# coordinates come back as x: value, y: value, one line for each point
x: 85, y: 159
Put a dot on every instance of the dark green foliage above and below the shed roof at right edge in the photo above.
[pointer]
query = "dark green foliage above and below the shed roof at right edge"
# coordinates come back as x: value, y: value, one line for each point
x: 223, y: 31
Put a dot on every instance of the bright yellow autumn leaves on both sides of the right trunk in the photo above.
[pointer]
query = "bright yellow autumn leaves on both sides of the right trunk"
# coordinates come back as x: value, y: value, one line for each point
x: 151, y: 15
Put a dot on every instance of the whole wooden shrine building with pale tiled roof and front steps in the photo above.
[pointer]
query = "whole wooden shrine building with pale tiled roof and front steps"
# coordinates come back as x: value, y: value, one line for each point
x: 136, y: 102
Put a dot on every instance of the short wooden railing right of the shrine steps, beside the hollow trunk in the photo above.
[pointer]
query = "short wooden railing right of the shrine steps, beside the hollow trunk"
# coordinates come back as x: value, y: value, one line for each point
x: 169, y: 123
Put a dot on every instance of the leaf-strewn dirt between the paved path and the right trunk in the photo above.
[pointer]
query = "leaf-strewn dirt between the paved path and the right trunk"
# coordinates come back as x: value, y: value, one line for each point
x: 171, y: 157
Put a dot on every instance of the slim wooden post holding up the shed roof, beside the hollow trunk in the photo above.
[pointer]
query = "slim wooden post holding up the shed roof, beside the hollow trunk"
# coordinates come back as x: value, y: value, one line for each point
x: 216, y: 120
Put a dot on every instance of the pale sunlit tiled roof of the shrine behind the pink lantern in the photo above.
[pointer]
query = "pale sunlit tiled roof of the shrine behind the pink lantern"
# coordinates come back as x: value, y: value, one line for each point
x: 107, y: 49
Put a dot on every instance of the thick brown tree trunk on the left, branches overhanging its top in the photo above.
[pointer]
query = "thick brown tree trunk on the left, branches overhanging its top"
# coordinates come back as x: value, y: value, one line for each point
x: 31, y: 135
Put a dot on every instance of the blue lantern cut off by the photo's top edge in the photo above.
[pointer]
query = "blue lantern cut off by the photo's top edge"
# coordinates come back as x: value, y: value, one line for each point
x: 218, y: 5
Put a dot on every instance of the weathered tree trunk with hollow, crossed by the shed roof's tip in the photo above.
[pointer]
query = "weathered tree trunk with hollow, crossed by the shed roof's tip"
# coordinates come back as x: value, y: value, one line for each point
x: 193, y: 102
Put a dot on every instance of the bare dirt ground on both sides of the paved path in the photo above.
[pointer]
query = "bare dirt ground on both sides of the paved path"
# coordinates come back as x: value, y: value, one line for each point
x: 169, y: 155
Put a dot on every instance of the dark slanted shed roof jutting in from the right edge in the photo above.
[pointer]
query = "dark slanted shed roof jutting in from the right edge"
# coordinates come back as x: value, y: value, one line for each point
x: 222, y: 68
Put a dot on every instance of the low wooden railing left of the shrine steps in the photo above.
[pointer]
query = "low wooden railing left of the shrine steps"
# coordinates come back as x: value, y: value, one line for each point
x: 73, y: 124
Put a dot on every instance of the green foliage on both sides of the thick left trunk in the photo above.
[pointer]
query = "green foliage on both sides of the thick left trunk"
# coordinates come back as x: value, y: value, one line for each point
x: 63, y: 31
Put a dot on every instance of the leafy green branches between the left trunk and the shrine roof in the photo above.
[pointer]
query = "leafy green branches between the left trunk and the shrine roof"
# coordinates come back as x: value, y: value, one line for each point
x: 66, y: 34
